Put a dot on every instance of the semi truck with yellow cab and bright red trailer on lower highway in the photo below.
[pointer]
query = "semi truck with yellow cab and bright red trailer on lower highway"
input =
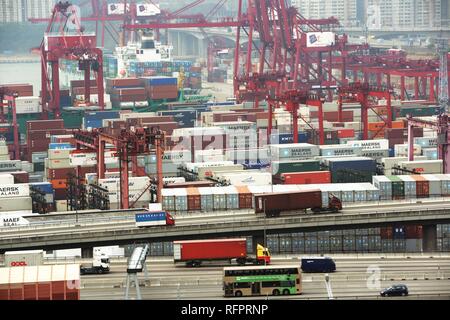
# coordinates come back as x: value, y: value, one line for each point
x: 194, y: 252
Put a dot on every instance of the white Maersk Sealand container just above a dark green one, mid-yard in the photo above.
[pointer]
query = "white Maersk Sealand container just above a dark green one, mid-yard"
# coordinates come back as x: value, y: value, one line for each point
x: 293, y: 151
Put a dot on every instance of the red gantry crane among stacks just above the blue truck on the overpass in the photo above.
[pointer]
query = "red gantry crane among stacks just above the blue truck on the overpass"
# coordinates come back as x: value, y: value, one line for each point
x: 129, y: 143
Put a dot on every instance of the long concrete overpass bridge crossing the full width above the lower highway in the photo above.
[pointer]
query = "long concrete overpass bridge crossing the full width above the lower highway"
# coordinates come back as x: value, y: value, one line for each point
x: 88, y: 235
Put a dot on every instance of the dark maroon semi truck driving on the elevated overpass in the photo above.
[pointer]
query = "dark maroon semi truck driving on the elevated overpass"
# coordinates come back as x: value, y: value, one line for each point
x: 272, y: 204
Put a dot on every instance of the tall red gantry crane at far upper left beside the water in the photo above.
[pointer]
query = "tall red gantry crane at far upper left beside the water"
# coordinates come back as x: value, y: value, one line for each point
x: 61, y: 43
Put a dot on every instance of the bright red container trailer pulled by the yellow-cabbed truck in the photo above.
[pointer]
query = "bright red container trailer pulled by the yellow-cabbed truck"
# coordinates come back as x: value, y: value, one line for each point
x: 213, y: 249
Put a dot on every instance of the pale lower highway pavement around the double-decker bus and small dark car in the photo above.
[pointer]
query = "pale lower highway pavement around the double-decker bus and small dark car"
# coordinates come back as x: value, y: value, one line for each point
x: 426, y: 277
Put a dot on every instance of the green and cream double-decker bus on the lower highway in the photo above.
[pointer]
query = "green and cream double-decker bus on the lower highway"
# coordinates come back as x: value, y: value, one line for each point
x: 262, y: 280
